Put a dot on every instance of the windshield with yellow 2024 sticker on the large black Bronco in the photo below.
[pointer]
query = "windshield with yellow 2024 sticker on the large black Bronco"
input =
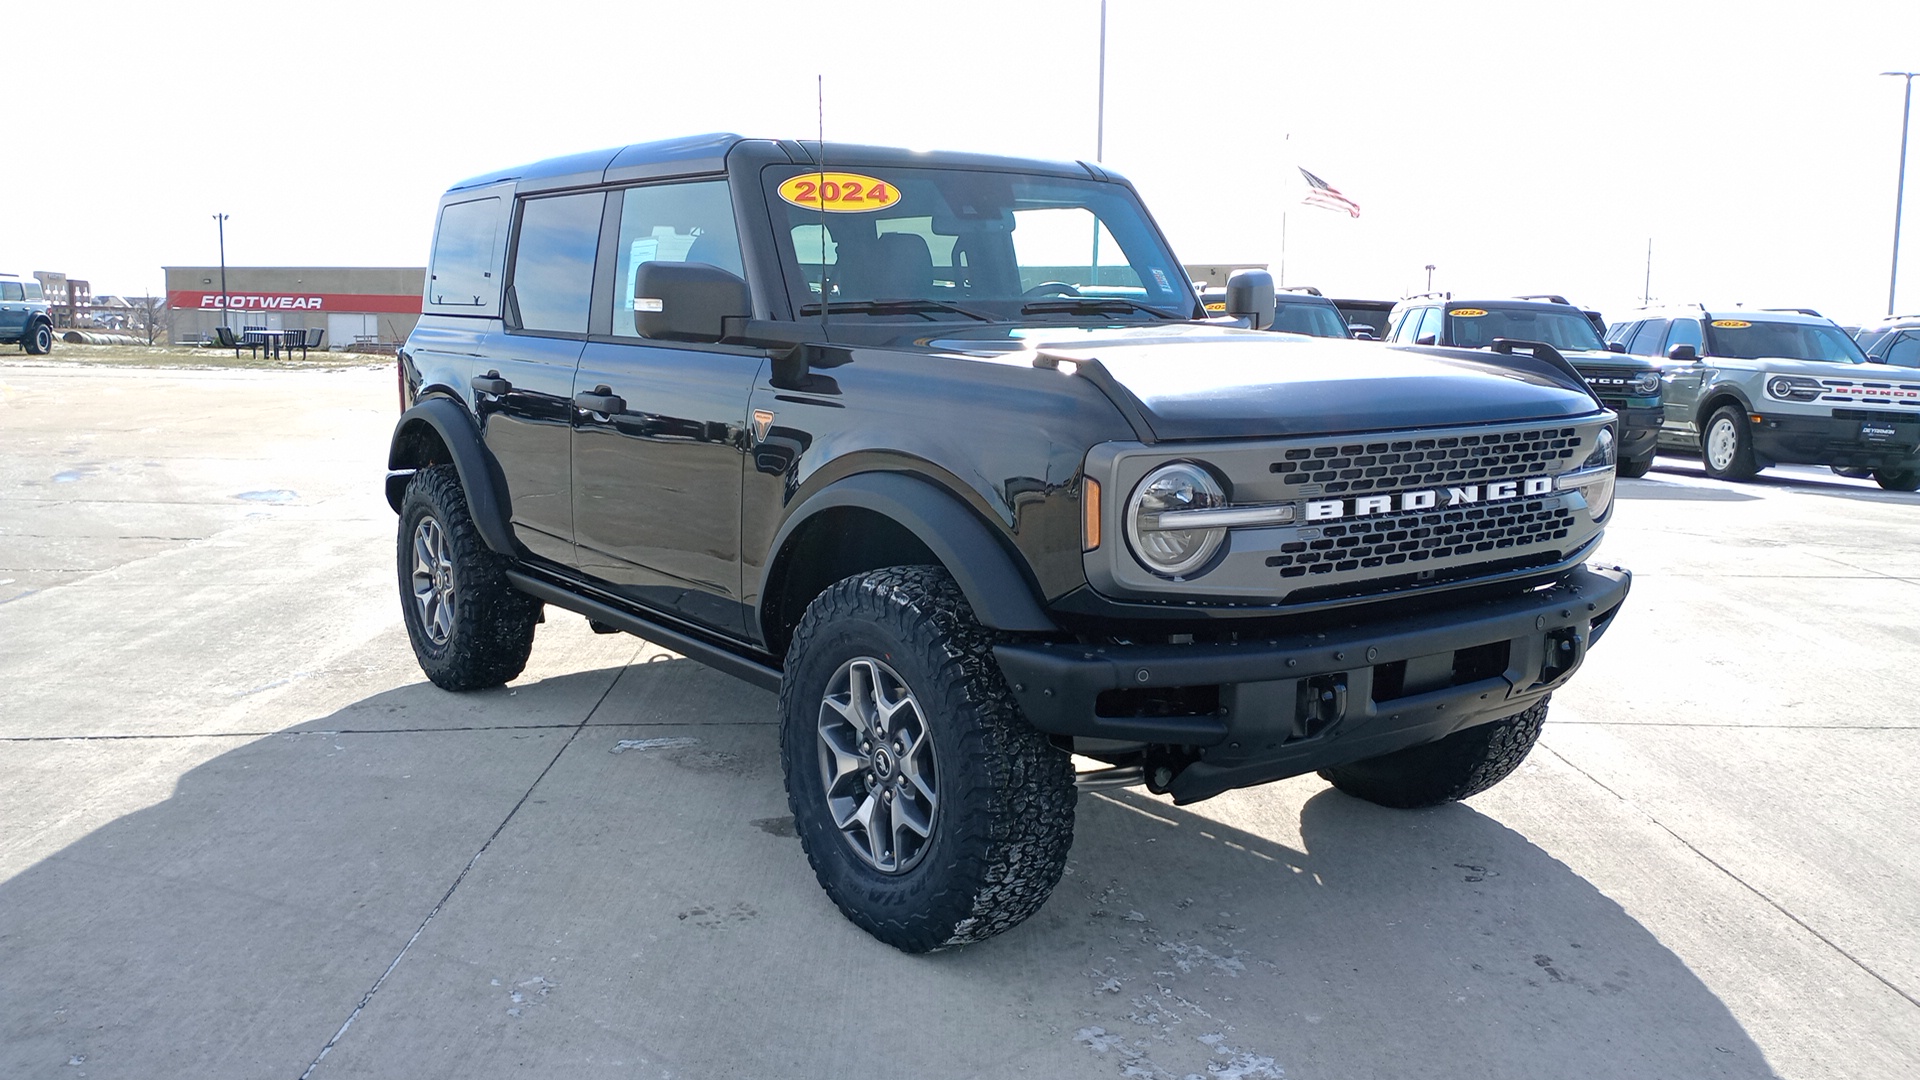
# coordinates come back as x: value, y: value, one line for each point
x: 1003, y: 245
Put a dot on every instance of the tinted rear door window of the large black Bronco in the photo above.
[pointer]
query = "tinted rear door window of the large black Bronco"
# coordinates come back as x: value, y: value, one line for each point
x: 554, y: 262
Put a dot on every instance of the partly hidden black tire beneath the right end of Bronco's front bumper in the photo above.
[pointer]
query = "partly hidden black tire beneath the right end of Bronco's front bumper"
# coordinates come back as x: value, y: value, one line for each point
x: 1456, y: 768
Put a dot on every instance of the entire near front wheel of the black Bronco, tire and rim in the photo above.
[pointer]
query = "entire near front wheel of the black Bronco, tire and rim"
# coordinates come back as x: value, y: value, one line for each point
x: 930, y: 810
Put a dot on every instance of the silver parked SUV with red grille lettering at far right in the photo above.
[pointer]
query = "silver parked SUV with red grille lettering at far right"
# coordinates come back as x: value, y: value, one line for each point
x: 1754, y: 389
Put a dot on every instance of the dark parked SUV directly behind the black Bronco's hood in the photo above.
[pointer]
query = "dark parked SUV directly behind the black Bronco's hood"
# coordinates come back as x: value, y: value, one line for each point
x: 1629, y: 385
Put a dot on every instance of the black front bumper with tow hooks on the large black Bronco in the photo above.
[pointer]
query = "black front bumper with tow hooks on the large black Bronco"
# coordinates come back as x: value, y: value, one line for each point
x: 1257, y: 712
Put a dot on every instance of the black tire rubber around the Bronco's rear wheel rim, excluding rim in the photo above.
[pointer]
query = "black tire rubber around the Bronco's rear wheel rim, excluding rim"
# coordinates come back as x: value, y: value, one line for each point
x: 492, y: 624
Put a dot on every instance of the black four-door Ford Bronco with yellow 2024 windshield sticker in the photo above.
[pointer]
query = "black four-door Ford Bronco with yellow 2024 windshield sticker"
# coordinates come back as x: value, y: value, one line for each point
x: 944, y: 451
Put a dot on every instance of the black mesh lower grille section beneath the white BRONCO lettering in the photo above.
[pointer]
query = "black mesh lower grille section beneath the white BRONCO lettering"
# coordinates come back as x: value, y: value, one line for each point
x: 1420, y: 537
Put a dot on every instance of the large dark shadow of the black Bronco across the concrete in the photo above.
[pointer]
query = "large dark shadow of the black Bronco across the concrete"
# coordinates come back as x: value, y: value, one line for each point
x: 481, y: 885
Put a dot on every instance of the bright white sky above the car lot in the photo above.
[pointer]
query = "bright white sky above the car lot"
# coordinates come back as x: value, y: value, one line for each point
x: 1516, y: 147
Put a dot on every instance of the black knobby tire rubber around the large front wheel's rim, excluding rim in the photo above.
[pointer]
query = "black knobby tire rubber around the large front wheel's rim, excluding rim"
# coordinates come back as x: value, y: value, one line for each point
x: 1005, y: 816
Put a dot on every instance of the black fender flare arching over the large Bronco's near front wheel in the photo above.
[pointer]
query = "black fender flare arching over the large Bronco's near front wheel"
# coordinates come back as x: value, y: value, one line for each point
x: 980, y: 562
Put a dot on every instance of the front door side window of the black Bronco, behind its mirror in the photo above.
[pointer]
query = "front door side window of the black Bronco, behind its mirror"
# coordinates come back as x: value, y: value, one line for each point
x: 673, y: 224
